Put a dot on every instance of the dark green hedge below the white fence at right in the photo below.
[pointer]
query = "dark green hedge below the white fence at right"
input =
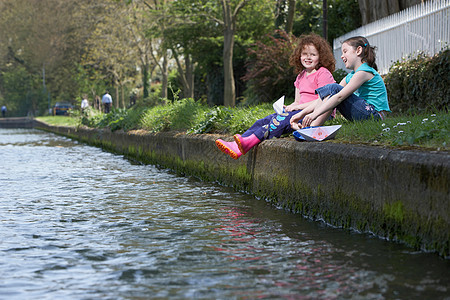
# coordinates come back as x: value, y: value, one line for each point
x: 419, y: 84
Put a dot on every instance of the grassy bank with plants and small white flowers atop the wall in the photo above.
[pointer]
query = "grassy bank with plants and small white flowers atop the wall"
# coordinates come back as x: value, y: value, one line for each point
x: 428, y: 131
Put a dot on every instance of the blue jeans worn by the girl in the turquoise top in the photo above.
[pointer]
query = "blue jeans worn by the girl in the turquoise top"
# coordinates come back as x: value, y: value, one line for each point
x: 353, y: 108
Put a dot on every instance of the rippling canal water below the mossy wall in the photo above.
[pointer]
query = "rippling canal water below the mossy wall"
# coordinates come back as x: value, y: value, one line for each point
x: 80, y: 223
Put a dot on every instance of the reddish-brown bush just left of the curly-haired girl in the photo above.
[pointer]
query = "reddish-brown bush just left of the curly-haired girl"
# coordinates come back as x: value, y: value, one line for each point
x: 269, y: 74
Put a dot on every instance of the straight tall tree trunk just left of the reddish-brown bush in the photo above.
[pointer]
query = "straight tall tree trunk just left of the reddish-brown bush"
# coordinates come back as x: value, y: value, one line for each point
x: 229, y: 87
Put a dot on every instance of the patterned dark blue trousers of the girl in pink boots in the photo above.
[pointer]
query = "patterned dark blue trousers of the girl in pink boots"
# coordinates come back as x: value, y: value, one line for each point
x: 273, y: 125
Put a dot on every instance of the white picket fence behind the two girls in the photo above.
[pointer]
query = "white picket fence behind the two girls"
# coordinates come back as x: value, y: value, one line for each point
x: 420, y: 28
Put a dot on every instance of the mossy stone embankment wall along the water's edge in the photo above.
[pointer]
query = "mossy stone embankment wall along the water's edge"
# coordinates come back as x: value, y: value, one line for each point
x: 398, y: 195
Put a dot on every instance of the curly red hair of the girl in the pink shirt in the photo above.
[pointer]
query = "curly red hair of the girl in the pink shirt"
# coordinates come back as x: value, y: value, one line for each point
x: 326, y: 57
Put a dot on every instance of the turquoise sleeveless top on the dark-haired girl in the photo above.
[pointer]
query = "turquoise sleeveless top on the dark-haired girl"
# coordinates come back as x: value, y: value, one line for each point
x: 373, y: 90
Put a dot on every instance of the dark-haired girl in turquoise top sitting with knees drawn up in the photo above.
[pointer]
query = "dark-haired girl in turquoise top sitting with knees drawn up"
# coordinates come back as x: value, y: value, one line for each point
x: 361, y: 95
